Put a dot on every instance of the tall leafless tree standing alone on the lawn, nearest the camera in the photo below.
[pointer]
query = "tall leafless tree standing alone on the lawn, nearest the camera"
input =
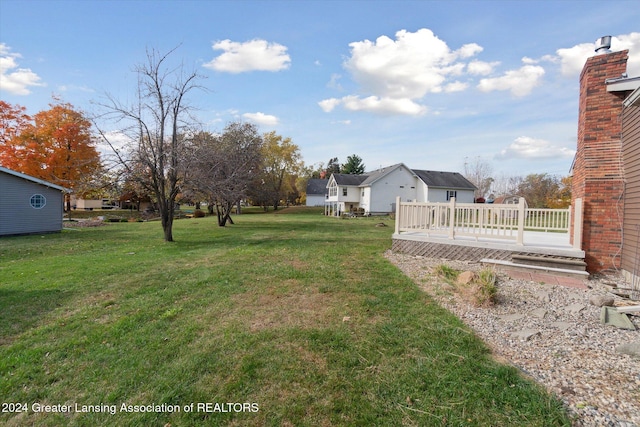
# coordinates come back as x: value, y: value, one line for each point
x: 156, y: 124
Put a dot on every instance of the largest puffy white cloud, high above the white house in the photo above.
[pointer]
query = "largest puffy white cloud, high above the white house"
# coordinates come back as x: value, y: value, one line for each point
x: 396, y: 74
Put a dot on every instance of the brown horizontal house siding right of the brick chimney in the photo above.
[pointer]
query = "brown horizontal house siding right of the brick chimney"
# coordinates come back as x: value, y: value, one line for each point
x: 631, y: 158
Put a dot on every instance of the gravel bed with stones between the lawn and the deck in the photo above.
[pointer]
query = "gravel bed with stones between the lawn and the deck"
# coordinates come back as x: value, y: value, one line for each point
x: 552, y: 334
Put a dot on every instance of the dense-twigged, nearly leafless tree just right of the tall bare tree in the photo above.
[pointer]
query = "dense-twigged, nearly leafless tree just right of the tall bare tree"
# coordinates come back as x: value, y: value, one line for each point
x: 225, y: 165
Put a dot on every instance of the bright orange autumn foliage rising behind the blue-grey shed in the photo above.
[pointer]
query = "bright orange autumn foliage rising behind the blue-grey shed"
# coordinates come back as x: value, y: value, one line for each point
x: 56, y: 146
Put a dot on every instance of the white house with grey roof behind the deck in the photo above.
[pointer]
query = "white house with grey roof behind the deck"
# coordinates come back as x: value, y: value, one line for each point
x: 376, y: 191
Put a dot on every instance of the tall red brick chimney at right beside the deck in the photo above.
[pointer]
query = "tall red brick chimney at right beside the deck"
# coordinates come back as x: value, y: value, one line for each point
x: 597, y: 170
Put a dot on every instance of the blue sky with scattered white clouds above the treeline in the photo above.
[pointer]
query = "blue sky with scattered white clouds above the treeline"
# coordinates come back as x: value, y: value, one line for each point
x: 431, y: 84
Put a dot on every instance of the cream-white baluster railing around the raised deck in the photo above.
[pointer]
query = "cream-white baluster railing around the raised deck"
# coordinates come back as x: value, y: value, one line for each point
x: 495, y: 221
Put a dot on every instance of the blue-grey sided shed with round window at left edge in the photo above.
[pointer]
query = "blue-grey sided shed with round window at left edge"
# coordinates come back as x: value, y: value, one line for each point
x: 29, y: 205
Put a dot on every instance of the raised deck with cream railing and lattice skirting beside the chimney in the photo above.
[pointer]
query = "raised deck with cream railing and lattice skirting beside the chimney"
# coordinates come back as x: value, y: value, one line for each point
x: 472, y: 232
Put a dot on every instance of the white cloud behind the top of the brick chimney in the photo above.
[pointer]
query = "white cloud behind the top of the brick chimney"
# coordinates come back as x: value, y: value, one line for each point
x: 572, y: 59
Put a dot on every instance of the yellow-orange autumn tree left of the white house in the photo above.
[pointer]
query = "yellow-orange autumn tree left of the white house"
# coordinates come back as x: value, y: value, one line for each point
x: 281, y: 161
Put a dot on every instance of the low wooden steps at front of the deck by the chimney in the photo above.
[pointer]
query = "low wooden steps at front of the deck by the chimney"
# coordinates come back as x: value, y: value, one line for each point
x: 550, y: 264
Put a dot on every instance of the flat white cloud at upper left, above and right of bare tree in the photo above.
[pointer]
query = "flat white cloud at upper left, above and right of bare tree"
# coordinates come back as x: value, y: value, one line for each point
x: 254, y: 55
